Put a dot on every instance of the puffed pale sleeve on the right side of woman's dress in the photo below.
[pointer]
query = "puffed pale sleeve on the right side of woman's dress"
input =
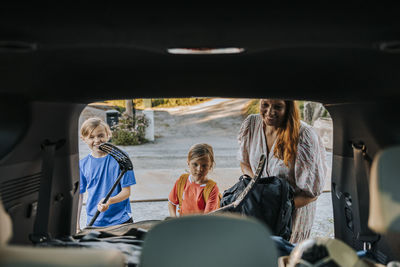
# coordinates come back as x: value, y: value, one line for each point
x: 310, y: 165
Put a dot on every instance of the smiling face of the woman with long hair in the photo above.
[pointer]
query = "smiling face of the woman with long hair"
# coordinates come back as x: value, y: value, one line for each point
x: 273, y: 111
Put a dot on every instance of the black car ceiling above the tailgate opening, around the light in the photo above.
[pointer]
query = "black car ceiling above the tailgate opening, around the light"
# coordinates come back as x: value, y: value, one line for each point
x: 325, y: 54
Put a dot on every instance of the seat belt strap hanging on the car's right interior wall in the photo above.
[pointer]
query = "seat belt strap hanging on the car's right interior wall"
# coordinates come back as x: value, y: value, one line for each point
x: 362, y: 164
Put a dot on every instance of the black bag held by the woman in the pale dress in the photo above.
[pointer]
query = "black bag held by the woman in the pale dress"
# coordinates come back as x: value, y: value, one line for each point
x: 270, y: 201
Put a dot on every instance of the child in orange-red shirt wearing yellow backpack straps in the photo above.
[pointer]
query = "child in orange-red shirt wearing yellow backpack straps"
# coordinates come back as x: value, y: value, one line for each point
x: 194, y: 193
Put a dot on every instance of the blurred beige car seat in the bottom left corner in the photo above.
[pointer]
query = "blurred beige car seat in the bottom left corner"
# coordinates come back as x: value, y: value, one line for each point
x: 13, y: 255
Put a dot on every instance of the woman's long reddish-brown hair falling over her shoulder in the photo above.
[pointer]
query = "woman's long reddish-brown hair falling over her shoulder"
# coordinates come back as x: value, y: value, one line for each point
x: 288, y: 135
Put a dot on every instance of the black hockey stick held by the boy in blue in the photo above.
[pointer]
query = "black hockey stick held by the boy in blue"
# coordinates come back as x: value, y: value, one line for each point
x: 125, y: 165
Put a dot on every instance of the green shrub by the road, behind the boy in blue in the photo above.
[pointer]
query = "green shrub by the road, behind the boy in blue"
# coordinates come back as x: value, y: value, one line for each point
x: 127, y: 132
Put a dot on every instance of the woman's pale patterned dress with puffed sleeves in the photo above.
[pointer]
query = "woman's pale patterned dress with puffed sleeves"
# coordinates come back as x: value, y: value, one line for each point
x: 307, y: 175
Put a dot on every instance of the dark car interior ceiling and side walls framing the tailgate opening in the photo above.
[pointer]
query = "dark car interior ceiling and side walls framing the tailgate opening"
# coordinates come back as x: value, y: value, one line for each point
x: 54, y: 62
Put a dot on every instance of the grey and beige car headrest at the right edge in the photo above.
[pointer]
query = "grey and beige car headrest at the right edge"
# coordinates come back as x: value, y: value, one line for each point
x: 384, y: 214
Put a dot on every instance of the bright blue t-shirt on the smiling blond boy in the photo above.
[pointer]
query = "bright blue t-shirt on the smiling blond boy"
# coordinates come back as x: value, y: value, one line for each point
x: 97, y: 176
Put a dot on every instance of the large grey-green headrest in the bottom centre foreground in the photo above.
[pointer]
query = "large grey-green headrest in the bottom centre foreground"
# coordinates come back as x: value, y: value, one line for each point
x: 209, y: 241
